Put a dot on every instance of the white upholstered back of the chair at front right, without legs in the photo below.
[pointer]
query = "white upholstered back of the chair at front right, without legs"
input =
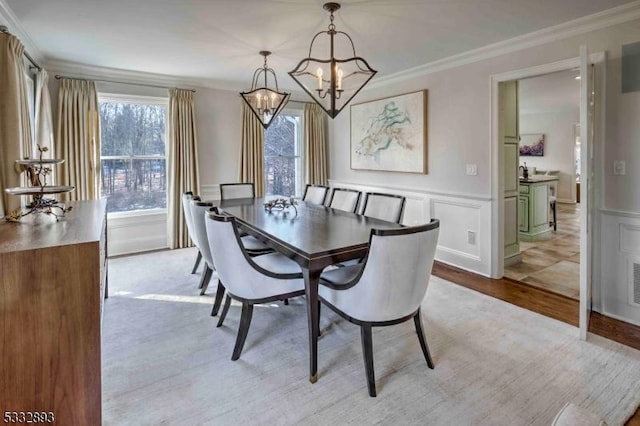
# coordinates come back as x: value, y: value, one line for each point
x: 396, y: 273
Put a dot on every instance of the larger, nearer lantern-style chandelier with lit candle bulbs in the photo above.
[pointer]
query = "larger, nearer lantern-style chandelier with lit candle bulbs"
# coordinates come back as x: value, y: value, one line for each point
x: 333, y: 82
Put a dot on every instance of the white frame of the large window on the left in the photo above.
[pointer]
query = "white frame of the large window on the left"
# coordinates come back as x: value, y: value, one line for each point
x: 139, y: 100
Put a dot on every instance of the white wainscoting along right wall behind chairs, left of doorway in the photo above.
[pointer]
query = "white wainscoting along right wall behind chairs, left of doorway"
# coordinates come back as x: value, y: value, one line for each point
x: 465, y: 238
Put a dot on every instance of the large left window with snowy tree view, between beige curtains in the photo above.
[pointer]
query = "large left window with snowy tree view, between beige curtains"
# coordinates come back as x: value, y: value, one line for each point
x: 133, y: 159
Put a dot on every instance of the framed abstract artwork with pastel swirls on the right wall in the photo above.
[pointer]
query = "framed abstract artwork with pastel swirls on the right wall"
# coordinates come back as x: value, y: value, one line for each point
x: 390, y: 134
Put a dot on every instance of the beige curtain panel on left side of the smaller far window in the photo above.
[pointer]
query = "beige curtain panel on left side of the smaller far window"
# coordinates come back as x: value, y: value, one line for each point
x: 252, y: 151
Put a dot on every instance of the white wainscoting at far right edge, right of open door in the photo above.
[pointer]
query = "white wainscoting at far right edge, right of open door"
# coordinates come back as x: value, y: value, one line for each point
x: 620, y: 255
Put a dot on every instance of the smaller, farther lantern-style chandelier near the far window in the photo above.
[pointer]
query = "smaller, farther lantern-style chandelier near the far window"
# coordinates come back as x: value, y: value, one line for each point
x: 265, y: 103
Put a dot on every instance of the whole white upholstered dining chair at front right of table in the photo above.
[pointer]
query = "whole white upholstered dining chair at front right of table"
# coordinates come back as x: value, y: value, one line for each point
x: 387, y: 288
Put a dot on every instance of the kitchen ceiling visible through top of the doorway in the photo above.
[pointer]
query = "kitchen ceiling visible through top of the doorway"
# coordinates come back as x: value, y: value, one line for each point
x: 550, y: 93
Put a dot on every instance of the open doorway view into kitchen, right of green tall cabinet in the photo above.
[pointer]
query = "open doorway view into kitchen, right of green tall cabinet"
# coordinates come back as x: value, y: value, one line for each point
x: 549, y: 238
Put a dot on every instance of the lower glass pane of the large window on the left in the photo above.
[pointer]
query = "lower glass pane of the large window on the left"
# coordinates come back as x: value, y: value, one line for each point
x: 130, y: 184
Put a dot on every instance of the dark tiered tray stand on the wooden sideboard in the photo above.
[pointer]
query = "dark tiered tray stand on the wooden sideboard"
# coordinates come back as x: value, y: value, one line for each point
x: 37, y: 172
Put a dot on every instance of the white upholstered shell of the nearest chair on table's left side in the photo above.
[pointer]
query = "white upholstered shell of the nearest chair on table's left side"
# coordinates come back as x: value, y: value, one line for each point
x: 240, y: 275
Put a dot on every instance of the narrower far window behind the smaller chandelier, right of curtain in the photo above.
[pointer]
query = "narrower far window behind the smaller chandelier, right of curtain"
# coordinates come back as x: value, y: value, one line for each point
x: 283, y: 173
